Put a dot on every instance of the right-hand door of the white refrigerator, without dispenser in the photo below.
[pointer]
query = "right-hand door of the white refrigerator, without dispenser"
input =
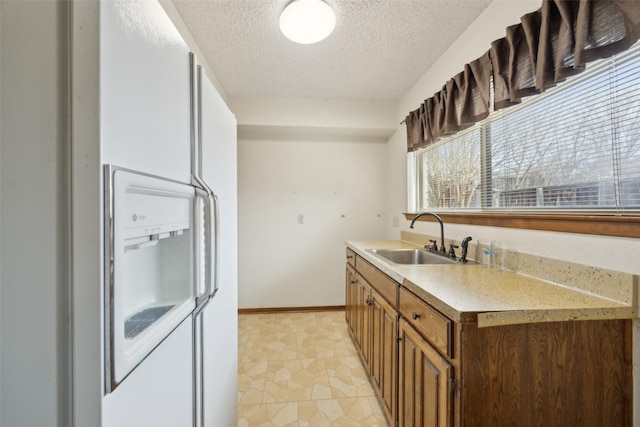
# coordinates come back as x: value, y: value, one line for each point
x: 220, y: 317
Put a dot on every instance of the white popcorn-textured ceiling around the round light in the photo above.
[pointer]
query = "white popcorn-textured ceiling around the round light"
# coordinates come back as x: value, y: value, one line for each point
x: 378, y: 50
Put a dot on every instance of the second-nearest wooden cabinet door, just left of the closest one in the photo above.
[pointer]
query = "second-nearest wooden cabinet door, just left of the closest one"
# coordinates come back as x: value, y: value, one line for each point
x: 384, y: 352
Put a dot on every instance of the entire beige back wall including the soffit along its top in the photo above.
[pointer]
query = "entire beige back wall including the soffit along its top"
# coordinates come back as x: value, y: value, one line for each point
x: 323, y: 159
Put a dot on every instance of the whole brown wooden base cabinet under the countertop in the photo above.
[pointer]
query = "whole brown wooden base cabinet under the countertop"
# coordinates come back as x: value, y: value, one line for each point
x: 432, y: 370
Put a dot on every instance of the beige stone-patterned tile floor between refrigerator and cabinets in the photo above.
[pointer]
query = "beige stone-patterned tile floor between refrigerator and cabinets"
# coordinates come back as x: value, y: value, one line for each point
x: 301, y: 369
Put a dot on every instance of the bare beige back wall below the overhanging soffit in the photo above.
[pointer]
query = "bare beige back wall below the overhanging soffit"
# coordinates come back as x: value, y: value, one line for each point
x: 335, y: 185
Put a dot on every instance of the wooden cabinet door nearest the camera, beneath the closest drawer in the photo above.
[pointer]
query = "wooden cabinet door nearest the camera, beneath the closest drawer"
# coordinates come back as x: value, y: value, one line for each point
x: 425, y: 392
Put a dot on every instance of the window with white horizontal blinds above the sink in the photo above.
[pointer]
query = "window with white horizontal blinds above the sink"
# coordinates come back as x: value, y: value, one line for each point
x: 576, y: 147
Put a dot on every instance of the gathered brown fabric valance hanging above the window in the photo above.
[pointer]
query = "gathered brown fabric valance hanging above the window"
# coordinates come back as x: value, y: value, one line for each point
x: 545, y: 48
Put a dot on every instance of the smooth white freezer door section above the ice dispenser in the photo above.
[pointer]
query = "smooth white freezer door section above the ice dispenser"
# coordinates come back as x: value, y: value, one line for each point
x: 144, y: 90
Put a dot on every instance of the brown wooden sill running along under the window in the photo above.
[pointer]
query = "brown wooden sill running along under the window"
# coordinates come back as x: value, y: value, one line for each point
x: 598, y: 224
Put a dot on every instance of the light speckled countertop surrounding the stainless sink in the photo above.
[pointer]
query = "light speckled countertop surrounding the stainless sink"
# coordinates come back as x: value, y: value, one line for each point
x: 468, y: 293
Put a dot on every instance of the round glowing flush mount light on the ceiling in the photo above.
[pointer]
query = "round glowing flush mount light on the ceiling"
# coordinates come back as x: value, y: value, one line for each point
x: 307, y: 21
